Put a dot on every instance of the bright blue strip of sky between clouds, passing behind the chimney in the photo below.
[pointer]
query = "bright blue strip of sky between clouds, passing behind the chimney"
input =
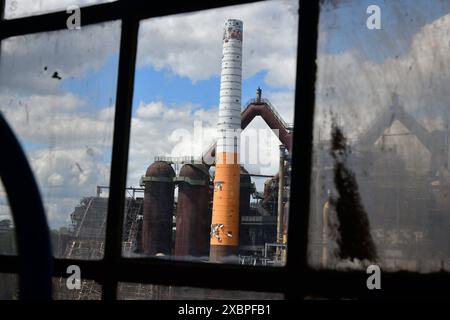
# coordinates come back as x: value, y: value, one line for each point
x: 98, y: 87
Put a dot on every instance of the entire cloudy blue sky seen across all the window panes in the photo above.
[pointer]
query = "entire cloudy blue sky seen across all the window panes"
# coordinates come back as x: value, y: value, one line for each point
x: 58, y: 89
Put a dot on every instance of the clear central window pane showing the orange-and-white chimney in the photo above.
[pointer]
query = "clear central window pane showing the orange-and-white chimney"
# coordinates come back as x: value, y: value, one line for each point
x: 174, y: 131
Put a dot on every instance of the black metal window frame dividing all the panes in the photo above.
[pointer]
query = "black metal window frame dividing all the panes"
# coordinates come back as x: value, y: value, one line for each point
x: 296, y: 280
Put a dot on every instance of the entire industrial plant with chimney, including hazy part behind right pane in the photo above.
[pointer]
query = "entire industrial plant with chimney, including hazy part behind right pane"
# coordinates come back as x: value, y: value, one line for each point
x: 208, y: 209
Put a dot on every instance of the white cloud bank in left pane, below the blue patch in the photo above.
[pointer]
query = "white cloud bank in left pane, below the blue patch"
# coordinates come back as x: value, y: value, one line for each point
x: 68, y: 145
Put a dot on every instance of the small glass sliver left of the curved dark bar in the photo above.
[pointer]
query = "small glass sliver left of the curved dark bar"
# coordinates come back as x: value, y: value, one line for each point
x: 7, y: 234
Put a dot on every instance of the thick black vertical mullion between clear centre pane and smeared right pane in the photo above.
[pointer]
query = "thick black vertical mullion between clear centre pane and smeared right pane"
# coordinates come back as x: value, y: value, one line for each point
x: 301, y: 159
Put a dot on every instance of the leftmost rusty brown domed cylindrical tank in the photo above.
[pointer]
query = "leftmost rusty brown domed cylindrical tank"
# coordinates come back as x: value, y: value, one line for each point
x: 158, y: 209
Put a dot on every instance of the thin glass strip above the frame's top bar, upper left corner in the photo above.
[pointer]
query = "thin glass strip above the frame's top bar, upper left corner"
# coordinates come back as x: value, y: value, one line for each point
x: 24, y: 8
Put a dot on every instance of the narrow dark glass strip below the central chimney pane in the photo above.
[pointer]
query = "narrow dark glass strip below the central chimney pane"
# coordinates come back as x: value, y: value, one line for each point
x: 139, y: 291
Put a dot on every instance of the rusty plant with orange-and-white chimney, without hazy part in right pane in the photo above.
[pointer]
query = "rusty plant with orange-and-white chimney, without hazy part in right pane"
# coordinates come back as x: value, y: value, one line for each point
x: 186, y: 210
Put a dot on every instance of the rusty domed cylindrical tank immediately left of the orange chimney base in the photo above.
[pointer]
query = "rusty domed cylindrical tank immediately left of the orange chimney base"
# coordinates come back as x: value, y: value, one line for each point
x: 193, y: 214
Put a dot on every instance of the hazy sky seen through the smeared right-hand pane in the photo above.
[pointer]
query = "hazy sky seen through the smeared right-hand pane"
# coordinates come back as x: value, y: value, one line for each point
x: 359, y: 69
